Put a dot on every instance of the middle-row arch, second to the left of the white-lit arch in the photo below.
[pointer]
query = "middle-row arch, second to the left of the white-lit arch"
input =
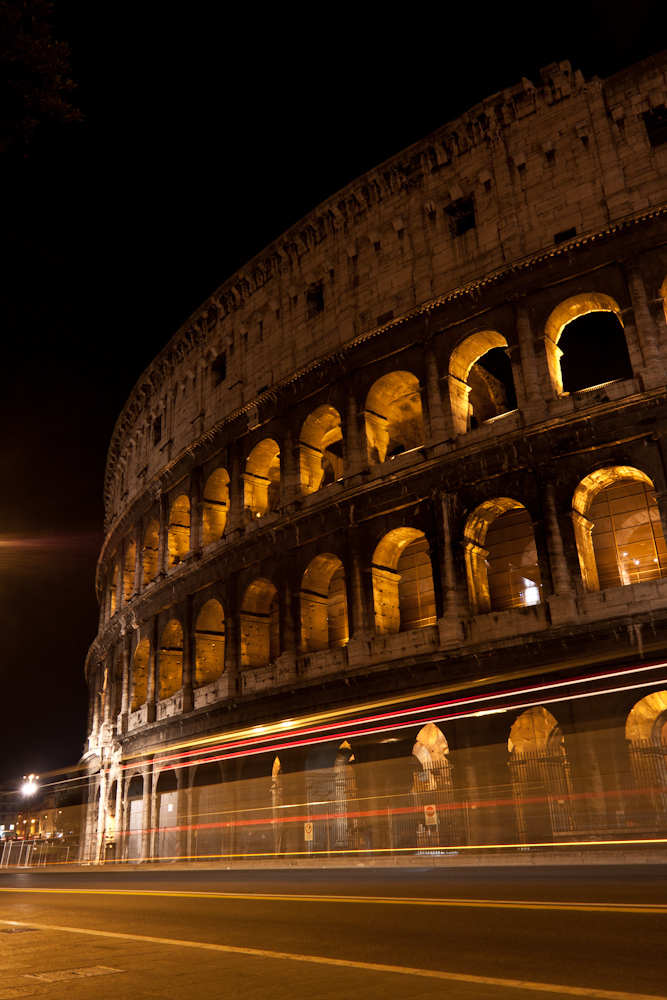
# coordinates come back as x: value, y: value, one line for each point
x: 324, y: 622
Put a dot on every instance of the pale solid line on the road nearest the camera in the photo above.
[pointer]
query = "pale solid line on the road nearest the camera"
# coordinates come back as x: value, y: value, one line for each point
x: 320, y: 960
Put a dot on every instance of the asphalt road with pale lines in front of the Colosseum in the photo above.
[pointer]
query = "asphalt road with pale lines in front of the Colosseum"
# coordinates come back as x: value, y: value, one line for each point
x: 599, y: 931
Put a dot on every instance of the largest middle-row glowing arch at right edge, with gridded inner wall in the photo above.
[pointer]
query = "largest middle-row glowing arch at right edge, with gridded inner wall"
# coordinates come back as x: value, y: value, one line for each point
x: 618, y: 529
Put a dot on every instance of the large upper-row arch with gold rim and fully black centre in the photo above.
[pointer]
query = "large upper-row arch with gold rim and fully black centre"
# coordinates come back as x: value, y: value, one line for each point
x: 585, y: 343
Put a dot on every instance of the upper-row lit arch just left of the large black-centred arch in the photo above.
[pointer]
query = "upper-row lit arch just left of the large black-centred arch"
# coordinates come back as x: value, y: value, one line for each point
x: 481, y: 385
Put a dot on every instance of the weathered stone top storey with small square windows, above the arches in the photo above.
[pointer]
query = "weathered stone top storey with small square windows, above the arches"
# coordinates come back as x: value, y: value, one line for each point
x: 534, y: 162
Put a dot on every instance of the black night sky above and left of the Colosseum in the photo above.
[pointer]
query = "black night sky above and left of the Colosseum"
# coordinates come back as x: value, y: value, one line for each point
x: 204, y: 138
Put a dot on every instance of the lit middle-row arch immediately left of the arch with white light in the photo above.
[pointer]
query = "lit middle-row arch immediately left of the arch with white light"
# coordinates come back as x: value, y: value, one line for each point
x: 403, y: 592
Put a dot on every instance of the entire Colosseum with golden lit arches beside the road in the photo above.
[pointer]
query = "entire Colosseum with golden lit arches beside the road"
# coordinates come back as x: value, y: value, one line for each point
x: 385, y: 520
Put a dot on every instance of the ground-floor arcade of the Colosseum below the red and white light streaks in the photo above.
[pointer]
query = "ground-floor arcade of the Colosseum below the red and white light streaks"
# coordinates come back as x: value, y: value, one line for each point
x: 436, y: 788
